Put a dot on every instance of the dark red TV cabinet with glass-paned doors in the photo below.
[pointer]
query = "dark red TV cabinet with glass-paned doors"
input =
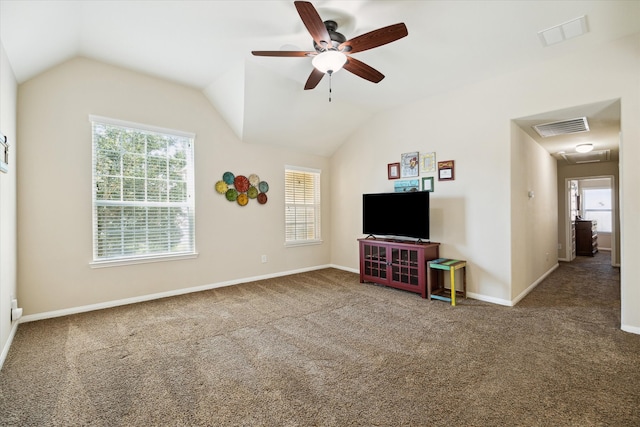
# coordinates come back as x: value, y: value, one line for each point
x: 398, y: 264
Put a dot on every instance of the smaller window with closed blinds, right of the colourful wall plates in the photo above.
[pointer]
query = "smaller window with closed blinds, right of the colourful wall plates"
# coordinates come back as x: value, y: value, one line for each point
x: 302, y: 205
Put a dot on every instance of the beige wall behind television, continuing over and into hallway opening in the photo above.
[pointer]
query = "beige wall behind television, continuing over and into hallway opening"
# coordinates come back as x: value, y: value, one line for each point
x: 472, y: 215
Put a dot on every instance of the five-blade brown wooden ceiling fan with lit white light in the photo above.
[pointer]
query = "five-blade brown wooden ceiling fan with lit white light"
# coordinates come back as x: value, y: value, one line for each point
x: 333, y: 51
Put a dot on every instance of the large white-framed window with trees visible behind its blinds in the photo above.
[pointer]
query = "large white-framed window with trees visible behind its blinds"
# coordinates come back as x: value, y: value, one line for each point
x: 143, y: 204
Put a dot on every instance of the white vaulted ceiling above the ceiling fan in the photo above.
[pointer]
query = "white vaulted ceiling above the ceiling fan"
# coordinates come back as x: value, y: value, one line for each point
x: 207, y: 45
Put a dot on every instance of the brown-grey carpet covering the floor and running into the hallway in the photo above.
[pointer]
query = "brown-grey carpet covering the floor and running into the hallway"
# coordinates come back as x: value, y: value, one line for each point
x: 320, y: 348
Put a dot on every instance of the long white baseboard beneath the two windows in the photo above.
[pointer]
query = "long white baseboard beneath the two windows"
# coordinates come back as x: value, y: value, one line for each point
x: 150, y: 297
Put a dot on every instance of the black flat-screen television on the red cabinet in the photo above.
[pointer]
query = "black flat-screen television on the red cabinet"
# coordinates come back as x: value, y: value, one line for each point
x: 396, y: 214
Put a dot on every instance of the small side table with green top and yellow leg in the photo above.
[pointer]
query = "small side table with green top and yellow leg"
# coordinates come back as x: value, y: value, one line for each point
x: 435, y: 283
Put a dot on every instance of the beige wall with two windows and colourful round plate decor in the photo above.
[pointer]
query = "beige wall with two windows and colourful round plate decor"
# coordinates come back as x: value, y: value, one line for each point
x: 54, y: 207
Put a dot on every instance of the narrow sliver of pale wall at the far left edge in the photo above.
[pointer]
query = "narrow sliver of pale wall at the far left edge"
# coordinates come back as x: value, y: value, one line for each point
x: 8, y: 282
